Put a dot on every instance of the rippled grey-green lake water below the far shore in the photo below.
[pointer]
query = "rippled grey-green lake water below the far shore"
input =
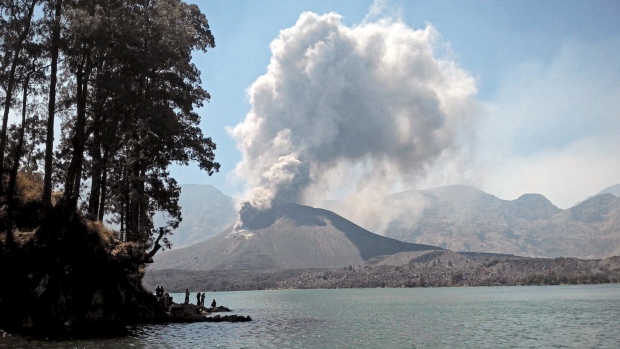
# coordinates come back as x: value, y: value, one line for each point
x: 585, y: 316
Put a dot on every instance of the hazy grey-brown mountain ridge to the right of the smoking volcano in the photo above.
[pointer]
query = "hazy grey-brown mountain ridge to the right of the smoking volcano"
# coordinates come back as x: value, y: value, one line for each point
x: 528, y: 226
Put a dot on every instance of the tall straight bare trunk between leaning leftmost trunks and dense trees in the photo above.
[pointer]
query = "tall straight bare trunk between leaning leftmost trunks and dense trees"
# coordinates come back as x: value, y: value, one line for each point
x: 49, y: 144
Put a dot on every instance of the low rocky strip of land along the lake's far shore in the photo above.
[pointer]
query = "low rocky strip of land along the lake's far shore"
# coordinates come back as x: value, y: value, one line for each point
x: 433, y: 269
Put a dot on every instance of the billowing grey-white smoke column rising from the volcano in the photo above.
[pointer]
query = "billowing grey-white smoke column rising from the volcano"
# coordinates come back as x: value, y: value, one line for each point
x: 364, y: 108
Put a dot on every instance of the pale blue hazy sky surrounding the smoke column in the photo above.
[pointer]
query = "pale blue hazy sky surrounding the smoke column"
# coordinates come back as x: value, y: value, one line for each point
x: 547, y: 78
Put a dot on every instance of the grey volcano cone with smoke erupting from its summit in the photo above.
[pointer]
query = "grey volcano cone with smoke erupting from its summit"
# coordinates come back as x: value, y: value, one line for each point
x: 295, y: 237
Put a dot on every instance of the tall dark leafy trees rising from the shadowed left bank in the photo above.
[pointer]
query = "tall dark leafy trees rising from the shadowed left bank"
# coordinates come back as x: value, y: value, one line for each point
x: 117, y: 75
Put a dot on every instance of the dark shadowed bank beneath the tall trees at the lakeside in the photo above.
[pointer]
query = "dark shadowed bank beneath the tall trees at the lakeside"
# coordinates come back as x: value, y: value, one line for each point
x: 71, y: 277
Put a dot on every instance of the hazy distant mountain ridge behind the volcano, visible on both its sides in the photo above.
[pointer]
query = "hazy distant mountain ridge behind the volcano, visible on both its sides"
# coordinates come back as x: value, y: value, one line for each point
x: 459, y: 218
